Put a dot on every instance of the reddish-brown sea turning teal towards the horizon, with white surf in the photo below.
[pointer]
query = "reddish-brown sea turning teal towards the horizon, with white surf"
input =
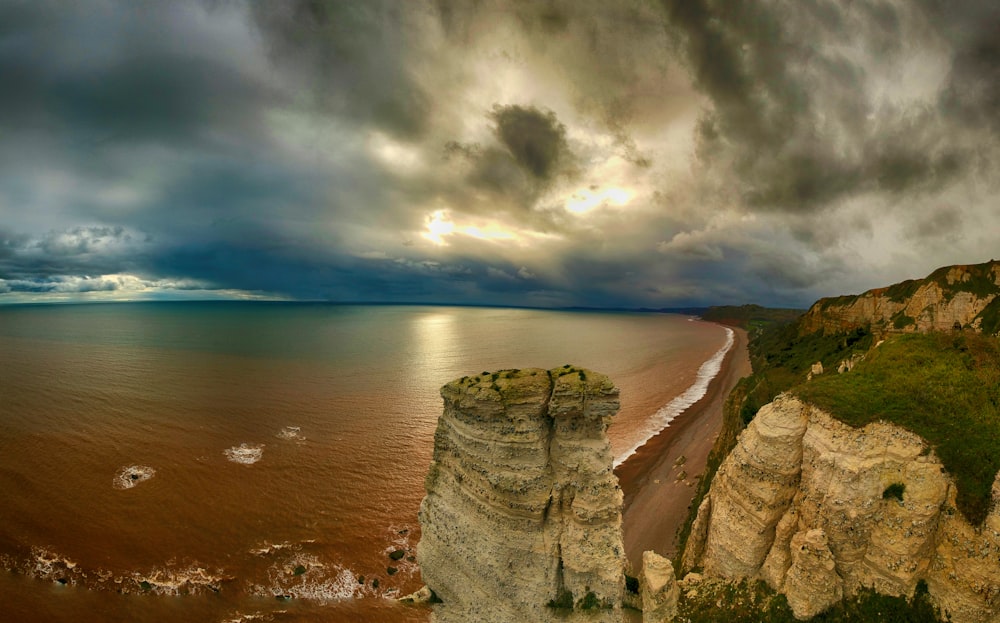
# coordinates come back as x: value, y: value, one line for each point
x: 260, y: 461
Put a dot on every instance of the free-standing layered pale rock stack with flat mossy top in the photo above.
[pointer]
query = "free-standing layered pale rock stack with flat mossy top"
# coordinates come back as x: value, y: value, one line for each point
x: 522, y: 507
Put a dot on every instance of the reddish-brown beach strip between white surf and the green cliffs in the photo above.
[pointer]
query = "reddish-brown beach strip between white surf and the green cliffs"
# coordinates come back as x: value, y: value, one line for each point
x: 658, y: 483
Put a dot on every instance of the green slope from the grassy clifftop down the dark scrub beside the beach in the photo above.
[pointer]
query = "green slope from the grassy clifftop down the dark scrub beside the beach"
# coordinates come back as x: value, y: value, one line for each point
x: 944, y: 387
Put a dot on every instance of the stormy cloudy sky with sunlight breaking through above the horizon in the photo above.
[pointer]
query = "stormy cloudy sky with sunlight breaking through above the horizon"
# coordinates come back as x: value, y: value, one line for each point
x: 601, y: 153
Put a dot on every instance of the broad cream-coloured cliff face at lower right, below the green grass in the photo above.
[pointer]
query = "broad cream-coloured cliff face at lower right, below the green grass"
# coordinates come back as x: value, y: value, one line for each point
x: 818, y: 509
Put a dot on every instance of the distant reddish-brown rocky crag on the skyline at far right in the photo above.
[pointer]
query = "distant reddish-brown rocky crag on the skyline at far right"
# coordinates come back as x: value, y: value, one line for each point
x: 950, y: 297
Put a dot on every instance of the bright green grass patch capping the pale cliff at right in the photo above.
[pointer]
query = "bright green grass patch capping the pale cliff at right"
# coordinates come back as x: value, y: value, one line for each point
x: 944, y: 387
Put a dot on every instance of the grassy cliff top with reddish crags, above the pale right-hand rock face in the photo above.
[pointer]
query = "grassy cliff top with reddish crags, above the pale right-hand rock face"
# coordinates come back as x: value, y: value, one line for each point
x: 943, y: 384
